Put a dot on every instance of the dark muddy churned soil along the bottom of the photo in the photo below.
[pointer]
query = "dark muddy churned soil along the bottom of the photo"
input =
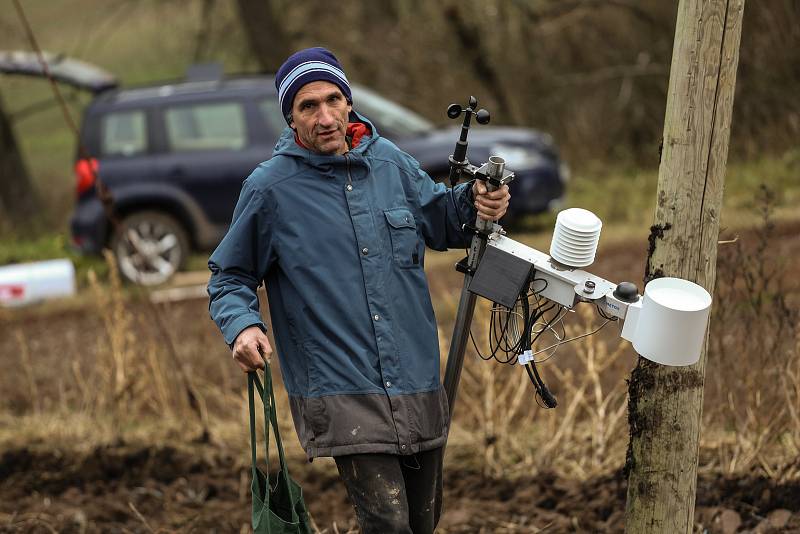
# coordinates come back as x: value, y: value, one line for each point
x: 119, y: 489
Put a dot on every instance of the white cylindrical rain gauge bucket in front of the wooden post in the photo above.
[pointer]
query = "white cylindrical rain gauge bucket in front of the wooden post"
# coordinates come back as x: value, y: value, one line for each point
x: 668, y: 325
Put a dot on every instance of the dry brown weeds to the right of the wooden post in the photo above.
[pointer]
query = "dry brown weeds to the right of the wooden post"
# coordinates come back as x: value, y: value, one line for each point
x: 754, y: 340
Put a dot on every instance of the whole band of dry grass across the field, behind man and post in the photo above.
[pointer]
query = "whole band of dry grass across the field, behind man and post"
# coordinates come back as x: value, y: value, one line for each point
x: 138, y: 379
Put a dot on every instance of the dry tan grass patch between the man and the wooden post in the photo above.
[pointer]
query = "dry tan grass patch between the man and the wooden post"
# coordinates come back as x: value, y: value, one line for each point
x: 585, y: 435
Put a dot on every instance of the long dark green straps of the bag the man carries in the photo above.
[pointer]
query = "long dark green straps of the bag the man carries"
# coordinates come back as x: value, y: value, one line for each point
x: 270, y: 419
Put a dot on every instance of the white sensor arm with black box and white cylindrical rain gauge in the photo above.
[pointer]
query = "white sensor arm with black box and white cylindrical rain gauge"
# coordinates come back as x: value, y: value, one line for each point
x: 666, y: 325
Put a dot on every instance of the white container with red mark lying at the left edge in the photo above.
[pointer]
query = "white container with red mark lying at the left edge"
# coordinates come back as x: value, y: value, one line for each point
x: 25, y: 283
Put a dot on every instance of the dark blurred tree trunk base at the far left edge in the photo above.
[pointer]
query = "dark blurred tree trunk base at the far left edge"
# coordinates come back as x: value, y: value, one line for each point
x: 18, y: 200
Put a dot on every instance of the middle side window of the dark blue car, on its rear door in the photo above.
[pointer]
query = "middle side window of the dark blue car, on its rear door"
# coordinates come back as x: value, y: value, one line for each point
x: 212, y: 126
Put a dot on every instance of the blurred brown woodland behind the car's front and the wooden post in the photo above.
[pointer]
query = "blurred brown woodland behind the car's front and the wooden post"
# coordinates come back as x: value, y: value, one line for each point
x: 591, y: 72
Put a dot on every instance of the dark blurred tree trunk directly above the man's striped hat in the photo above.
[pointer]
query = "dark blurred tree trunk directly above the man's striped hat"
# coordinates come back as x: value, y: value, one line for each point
x: 266, y: 33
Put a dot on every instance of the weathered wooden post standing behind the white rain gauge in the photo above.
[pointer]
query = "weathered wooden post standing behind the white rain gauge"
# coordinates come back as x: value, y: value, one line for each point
x: 665, y: 404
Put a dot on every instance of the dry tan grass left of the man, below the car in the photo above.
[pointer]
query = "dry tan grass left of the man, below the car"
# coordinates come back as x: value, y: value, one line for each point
x: 140, y: 382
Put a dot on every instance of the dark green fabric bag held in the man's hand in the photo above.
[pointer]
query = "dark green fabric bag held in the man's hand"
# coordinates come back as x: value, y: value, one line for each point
x: 277, y: 509
